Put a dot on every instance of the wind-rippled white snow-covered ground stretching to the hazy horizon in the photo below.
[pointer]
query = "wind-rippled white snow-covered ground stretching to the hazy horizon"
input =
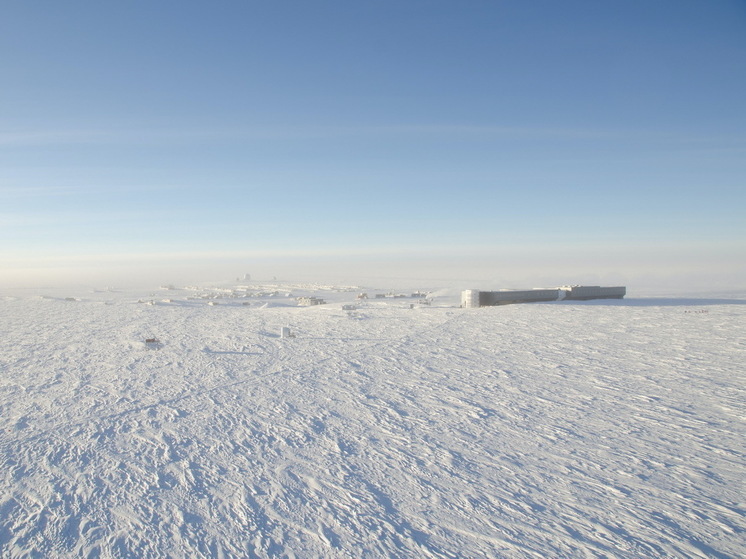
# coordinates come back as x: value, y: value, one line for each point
x: 598, y: 429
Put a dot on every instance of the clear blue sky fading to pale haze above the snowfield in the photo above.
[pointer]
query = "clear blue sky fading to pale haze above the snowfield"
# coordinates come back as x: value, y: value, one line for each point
x: 492, y: 143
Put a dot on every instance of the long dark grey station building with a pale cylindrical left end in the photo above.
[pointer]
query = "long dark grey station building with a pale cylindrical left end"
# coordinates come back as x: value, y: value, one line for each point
x: 472, y: 298
